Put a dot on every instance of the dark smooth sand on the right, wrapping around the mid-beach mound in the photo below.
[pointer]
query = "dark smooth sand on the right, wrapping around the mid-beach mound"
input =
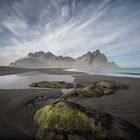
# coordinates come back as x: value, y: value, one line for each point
x: 124, y: 103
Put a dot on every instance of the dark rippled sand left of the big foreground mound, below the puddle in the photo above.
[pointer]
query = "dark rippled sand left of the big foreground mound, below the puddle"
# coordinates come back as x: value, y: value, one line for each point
x: 17, y: 108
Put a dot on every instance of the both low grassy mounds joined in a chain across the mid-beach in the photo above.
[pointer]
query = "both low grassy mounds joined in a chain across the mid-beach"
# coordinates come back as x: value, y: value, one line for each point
x: 97, y: 89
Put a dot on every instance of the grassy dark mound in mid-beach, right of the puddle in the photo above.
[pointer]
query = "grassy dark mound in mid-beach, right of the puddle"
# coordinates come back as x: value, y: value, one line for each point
x: 98, y: 89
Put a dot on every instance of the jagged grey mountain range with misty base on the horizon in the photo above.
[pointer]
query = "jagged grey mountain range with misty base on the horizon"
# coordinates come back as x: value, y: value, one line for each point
x: 48, y: 60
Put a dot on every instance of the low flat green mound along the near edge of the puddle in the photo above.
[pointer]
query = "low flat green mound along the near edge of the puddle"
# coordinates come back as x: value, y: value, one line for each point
x: 53, y: 84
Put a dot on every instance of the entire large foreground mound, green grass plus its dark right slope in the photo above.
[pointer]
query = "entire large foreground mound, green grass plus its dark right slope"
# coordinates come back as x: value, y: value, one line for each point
x: 64, y: 120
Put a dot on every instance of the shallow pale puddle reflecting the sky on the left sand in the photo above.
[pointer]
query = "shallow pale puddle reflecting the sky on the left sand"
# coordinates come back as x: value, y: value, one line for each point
x: 22, y: 81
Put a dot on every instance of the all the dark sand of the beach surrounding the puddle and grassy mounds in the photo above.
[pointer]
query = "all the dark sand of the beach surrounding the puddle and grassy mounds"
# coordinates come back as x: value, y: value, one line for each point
x: 18, y: 106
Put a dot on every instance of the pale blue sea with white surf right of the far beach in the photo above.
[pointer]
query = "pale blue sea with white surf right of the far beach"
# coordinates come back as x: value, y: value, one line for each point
x: 118, y: 72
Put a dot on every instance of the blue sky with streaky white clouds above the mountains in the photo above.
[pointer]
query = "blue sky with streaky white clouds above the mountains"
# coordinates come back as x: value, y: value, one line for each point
x: 71, y: 27
